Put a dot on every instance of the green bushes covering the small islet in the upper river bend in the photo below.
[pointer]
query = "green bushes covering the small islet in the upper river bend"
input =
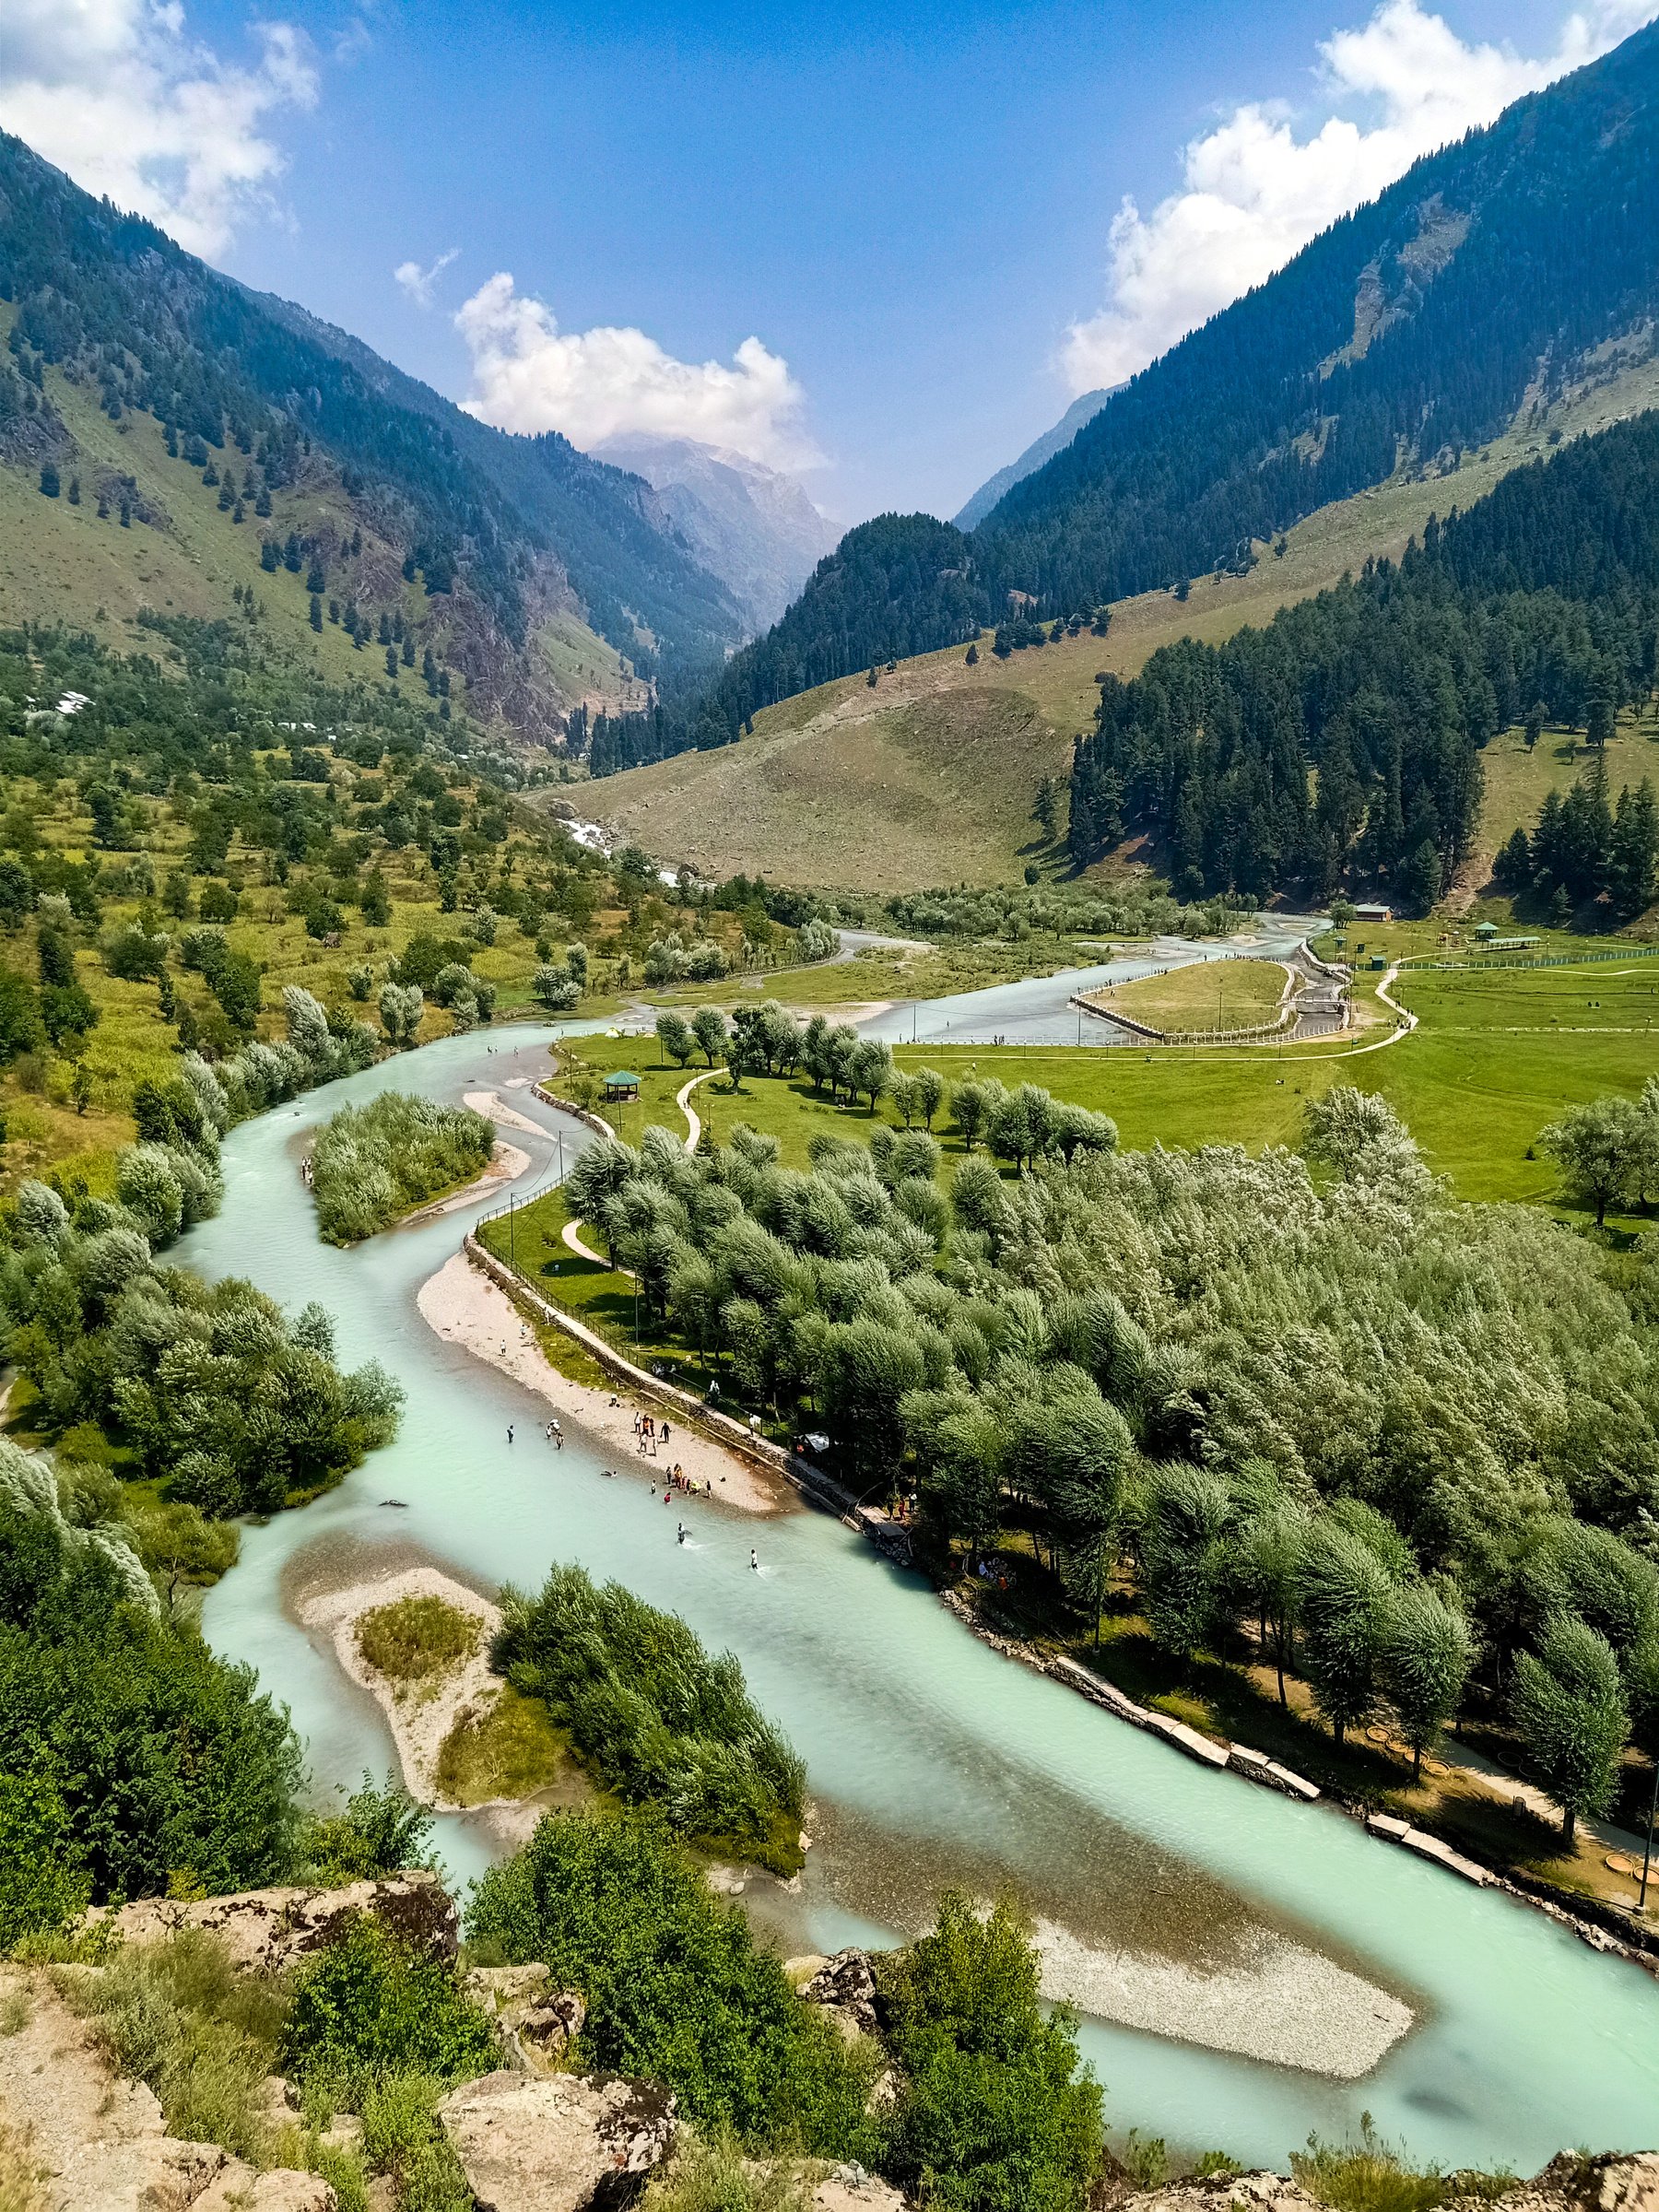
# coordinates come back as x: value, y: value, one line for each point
x: 375, y: 1162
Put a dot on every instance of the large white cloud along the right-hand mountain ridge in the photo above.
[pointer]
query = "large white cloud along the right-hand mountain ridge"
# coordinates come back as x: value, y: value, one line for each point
x: 1255, y: 194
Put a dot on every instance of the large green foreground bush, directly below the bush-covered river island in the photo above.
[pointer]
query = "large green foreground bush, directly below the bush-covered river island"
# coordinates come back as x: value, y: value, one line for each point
x: 678, y: 1990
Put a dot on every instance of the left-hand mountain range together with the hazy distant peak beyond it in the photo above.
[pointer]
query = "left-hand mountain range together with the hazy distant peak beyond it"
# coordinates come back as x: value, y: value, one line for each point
x: 545, y: 572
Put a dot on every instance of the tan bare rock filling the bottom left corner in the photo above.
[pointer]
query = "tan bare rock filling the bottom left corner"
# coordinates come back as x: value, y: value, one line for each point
x: 98, y: 2145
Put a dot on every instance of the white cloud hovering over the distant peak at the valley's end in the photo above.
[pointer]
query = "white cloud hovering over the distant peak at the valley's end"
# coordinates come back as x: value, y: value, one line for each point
x: 598, y: 384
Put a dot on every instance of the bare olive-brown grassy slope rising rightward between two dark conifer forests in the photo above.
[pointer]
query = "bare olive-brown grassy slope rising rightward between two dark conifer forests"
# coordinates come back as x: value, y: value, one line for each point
x: 837, y: 789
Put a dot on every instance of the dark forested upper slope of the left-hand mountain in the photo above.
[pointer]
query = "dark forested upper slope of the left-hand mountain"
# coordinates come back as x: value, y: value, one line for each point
x: 508, y: 530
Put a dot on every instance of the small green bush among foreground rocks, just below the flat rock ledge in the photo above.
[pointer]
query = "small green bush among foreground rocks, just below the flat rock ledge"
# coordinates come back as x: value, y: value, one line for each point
x: 375, y: 2007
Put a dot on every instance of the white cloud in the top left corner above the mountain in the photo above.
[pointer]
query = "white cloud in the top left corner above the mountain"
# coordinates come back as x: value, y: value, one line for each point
x: 118, y: 94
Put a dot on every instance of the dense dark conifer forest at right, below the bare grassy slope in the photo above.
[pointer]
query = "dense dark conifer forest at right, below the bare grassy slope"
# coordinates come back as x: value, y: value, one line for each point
x: 1543, y: 603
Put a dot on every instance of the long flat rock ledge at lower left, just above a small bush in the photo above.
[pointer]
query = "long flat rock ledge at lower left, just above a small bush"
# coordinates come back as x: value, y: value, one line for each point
x: 267, y: 1930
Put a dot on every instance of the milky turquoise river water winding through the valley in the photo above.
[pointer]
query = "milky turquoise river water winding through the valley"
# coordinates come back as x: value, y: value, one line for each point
x: 930, y: 1757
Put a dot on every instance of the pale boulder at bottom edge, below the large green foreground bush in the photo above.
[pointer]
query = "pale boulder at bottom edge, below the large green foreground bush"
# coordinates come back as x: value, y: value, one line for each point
x: 559, y: 2145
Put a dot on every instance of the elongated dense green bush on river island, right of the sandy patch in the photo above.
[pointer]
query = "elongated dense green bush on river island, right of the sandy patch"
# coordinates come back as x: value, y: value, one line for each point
x: 654, y: 1715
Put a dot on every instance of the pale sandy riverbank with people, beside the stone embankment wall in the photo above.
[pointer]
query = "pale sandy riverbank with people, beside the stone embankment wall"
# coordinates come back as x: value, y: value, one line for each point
x: 466, y: 1308
